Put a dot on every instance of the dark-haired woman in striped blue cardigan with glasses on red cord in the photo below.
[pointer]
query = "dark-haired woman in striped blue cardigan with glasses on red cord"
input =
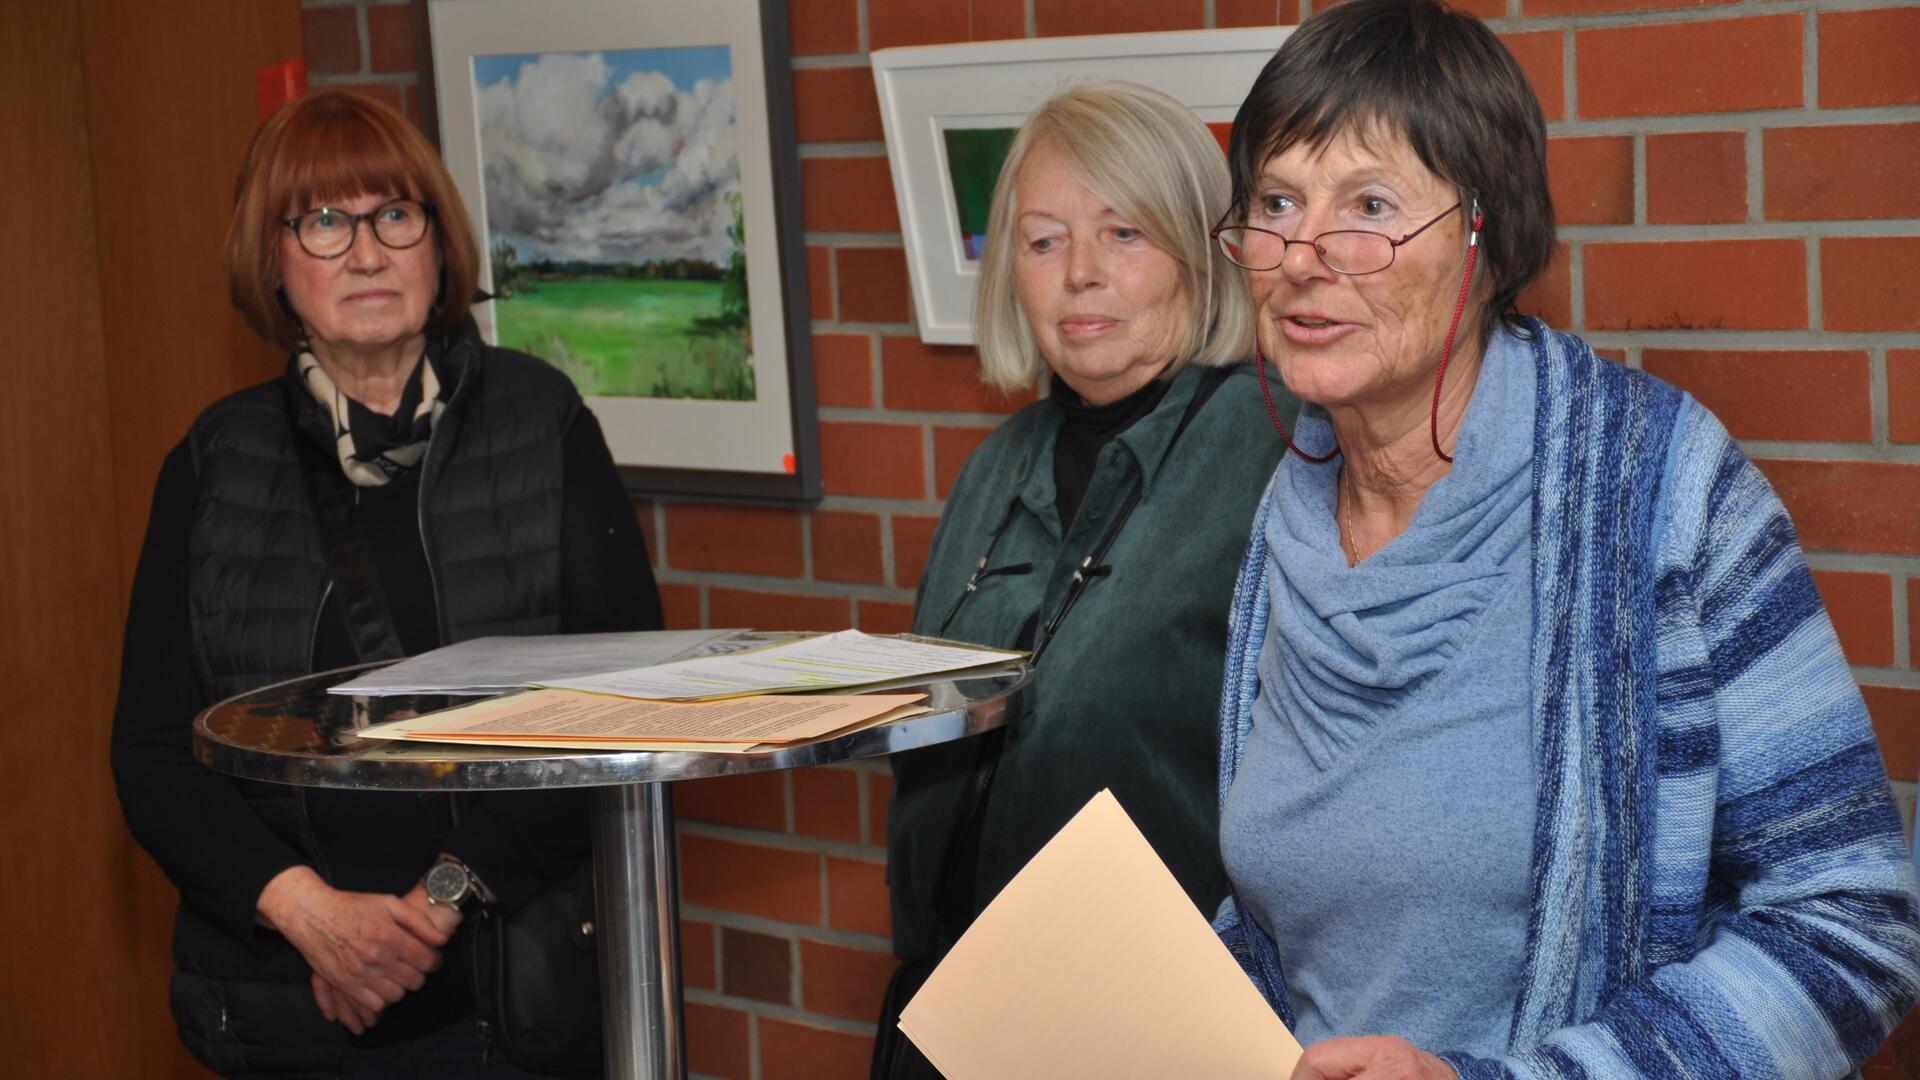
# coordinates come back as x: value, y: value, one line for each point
x: 1541, y: 756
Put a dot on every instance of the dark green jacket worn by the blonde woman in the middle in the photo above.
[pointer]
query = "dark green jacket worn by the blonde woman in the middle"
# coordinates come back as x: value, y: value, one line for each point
x: 1128, y: 693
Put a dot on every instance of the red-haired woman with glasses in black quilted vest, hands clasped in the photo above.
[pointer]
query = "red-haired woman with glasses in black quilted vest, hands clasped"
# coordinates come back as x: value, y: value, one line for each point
x: 402, y: 487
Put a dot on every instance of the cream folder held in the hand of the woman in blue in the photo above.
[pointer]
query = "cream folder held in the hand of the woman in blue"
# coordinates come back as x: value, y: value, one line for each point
x: 1095, y: 964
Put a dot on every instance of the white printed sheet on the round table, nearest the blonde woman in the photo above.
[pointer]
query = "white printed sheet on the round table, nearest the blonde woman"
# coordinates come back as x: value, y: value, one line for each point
x: 827, y: 662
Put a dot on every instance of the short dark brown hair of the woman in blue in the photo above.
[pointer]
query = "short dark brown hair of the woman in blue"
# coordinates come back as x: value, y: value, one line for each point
x: 1445, y: 84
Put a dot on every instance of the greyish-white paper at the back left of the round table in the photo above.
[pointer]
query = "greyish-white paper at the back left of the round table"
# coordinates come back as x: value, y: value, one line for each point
x: 496, y: 666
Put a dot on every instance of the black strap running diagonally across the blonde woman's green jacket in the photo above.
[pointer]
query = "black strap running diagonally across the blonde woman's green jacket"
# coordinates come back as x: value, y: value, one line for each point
x: 953, y: 912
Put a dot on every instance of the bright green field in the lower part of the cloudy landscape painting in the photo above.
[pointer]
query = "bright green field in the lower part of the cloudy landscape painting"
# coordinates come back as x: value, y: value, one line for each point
x: 633, y: 339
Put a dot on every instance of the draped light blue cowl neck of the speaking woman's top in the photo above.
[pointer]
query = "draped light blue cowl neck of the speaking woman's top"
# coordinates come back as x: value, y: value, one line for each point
x: 1356, y: 645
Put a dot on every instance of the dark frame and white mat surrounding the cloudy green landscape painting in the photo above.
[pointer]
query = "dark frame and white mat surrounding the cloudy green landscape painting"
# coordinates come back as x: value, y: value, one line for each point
x: 763, y: 449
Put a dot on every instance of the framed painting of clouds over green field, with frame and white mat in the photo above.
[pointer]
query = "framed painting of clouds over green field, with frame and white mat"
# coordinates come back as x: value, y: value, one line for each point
x: 635, y: 180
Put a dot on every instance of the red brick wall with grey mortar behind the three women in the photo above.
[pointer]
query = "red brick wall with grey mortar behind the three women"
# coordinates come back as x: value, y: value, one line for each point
x: 1735, y: 189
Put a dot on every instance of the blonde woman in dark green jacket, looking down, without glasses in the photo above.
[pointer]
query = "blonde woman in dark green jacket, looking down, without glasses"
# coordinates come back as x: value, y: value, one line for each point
x: 1099, y: 528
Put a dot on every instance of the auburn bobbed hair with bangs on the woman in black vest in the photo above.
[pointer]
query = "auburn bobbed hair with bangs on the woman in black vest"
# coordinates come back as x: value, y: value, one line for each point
x: 333, y: 147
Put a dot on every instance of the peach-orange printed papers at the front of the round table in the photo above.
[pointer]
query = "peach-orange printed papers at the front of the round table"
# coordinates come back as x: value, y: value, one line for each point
x: 571, y: 720
